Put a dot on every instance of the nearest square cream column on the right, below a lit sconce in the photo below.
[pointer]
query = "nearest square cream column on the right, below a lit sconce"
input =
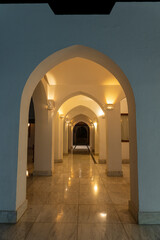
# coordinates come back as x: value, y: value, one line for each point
x: 114, y: 161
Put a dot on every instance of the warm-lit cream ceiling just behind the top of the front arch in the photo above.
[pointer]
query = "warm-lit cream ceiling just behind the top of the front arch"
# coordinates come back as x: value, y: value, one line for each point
x: 80, y: 71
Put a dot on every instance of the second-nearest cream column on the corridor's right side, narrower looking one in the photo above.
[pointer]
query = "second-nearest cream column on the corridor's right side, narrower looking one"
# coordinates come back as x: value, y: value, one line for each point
x: 102, y: 139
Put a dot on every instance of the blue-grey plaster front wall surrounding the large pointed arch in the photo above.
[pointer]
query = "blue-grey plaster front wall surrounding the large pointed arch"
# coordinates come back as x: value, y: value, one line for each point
x: 124, y: 36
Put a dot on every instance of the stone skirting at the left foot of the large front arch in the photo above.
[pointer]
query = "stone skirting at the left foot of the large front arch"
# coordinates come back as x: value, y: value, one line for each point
x: 13, y: 216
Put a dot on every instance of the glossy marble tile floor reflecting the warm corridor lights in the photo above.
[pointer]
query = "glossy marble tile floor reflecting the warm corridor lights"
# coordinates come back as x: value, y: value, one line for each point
x: 78, y: 202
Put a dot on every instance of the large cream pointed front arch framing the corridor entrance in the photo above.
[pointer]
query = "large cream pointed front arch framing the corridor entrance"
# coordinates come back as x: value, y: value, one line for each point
x: 37, y: 75
